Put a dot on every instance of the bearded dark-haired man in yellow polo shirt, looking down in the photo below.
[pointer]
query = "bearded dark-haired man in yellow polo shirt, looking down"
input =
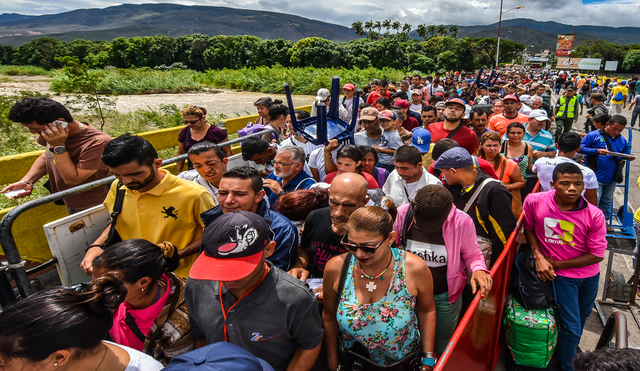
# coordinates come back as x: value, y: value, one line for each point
x: 157, y: 206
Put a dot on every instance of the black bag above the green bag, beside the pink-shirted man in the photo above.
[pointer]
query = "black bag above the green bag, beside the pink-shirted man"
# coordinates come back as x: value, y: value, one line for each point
x: 526, y: 287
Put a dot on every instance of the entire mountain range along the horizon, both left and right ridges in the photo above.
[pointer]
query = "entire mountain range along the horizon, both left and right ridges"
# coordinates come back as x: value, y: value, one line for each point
x: 131, y: 20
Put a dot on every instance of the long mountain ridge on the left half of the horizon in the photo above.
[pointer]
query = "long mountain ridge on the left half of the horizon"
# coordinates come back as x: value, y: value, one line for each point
x: 169, y: 19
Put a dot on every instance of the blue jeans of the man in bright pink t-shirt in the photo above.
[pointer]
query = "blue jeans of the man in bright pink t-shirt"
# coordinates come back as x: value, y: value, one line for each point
x: 575, y: 298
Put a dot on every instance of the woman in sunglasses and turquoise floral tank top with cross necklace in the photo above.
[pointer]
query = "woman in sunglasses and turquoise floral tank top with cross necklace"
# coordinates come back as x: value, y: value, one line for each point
x: 378, y: 300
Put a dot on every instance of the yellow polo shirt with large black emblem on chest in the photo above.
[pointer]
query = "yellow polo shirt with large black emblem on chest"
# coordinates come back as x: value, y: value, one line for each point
x: 170, y: 211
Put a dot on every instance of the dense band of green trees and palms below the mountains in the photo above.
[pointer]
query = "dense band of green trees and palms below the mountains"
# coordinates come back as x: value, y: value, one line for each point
x: 391, y: 49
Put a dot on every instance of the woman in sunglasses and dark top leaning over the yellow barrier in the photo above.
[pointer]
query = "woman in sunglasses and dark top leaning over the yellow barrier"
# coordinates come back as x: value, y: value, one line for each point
x: 196, y: 131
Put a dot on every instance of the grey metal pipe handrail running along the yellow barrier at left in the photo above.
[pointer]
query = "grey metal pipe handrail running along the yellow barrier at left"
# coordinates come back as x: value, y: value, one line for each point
x: 13, y: 269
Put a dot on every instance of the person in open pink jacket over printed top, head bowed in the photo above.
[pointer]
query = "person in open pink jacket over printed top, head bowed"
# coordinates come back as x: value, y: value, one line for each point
x: 444, y: 237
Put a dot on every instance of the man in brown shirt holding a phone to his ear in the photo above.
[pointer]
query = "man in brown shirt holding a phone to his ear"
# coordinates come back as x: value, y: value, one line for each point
x: 72, y: 156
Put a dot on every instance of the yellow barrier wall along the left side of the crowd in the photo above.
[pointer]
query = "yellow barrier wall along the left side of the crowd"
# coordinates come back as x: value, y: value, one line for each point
x: 27, y: 229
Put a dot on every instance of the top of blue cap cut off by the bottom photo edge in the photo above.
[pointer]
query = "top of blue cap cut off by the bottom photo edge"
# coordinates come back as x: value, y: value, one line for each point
x: 221, y: 356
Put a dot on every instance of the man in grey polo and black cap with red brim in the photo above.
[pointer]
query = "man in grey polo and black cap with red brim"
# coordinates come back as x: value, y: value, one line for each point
x: 234, y: 295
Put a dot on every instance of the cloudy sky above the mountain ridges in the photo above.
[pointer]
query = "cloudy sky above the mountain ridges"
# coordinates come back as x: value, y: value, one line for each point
x: 616, y: 13
